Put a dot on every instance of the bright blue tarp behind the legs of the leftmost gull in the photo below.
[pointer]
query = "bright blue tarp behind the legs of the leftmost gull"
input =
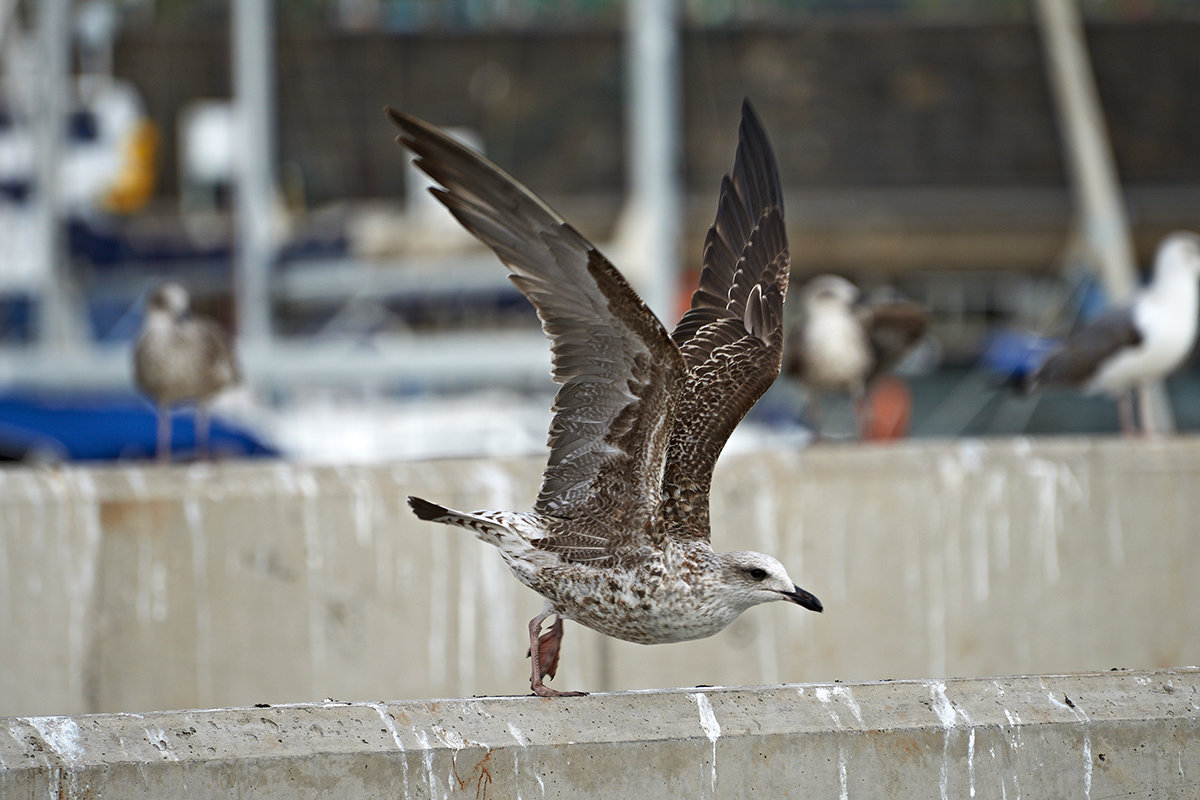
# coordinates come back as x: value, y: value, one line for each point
x: 110, y: 428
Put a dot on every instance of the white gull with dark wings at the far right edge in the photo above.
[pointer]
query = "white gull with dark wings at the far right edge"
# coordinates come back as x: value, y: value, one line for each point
x: 1131, y: 346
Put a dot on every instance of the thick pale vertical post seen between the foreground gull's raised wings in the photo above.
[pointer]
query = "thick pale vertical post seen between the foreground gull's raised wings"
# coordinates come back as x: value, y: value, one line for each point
x: 653, y: 135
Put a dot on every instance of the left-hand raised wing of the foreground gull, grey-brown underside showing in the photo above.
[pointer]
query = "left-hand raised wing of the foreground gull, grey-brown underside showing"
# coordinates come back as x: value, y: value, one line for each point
x: 619, y: 368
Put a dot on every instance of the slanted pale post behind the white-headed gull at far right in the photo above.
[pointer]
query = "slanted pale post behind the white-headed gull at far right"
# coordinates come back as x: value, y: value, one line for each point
x: 1102, y: 216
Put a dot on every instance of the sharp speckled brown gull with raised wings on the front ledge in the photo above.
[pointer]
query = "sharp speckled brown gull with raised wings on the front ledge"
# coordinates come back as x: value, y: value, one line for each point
x: 619, y: 539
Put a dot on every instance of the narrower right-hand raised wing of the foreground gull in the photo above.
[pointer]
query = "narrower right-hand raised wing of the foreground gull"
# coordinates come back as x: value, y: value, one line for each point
x: 731, y: 339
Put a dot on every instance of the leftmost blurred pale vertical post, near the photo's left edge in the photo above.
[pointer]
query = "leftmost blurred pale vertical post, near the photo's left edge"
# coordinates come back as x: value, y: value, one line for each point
x: 57, y: 328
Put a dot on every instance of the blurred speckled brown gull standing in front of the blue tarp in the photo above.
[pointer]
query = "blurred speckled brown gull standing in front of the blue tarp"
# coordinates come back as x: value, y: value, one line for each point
x: 181, y: 358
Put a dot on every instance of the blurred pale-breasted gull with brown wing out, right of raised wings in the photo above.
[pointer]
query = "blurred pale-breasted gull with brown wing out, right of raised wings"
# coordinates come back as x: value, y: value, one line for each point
x: 842, y: 345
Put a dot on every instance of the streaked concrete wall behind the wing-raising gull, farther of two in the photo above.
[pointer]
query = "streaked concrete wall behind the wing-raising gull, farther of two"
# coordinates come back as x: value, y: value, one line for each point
x: 142, y: 588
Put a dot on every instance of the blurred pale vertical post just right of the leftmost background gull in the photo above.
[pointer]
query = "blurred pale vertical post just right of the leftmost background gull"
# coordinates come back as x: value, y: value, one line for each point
x: 255, y: 121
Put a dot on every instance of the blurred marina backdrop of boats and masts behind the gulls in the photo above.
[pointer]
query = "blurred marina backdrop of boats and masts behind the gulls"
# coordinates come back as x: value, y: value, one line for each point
x: 1010, y: 167
